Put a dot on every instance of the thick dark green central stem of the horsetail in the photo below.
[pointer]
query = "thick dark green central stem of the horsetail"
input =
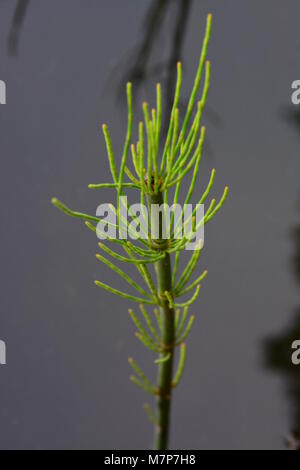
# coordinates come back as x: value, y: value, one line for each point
x: 165, y: 369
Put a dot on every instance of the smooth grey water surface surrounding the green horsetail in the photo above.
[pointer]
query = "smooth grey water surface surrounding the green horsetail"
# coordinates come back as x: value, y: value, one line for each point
x: 66, y: 383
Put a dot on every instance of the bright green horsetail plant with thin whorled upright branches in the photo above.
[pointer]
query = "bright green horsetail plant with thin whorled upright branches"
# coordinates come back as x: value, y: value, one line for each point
x: 153, y: 178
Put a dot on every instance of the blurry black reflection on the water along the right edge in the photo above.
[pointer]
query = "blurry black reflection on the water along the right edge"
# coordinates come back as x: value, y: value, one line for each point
x: 278, y: 355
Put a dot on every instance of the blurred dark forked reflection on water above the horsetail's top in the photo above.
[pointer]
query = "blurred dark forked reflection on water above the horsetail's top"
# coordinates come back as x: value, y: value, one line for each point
x: 141, y: 67
